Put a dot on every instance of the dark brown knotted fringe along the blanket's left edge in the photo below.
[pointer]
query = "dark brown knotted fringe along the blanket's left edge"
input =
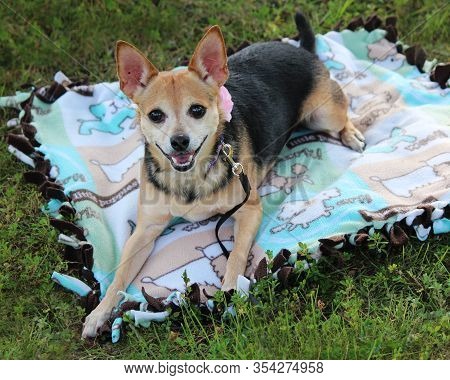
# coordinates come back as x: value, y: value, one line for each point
x: 79, y: 257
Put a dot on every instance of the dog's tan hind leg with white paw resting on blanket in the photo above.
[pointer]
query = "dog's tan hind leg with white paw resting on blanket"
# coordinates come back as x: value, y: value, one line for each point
x: 326, y: 109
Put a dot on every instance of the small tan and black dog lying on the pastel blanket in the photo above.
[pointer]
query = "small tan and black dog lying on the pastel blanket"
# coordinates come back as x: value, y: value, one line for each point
x: 274, y: 86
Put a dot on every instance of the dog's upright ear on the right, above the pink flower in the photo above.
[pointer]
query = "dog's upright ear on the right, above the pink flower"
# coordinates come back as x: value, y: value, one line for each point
x: 210, y: 57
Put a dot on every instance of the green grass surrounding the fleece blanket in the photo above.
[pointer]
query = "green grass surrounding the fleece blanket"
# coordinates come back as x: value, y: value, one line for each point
x: 373, y: 304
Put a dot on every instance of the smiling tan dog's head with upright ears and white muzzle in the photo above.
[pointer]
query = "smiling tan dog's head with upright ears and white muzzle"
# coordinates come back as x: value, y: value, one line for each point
x: 179, y: 110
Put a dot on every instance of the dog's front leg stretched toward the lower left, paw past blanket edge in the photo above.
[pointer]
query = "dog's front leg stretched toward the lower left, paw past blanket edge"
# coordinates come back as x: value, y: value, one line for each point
x: 135, y: 253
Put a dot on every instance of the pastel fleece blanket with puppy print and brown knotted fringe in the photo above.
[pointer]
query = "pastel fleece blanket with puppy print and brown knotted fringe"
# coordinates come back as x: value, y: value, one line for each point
x: 85, y: 146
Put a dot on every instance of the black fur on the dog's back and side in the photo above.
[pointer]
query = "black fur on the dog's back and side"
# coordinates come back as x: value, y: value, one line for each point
x: 269, y: 82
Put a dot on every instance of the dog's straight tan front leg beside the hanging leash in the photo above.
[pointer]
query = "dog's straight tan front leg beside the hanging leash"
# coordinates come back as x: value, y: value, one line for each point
x: 247, y: 221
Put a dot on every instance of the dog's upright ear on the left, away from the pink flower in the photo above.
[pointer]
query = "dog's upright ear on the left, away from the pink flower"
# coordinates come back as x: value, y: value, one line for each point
x: 133, y: 69
